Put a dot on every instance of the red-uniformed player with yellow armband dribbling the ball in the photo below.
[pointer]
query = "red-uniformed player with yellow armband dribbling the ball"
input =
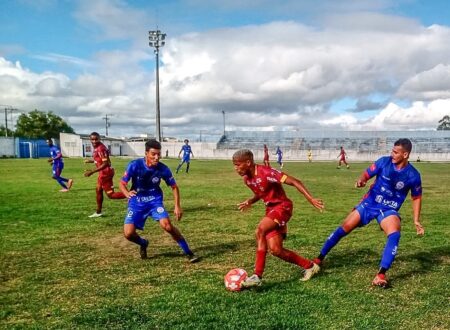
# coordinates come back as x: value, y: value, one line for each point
x: 266, y: 184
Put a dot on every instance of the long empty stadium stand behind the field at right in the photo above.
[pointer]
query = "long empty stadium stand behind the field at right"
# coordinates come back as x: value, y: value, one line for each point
x: 360, y: 145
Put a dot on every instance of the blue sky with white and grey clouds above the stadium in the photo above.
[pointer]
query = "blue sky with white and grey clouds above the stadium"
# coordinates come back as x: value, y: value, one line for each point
x: 254, y: 65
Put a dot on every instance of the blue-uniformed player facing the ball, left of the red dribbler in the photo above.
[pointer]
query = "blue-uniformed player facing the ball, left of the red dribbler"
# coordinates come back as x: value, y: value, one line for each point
x: 146, y: 199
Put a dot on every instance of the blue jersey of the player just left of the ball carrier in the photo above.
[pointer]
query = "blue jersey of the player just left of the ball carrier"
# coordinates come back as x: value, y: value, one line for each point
x: 145, y: 180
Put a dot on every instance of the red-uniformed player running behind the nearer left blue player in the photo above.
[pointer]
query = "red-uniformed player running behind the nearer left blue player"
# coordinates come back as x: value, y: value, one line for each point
x: 105, y: 173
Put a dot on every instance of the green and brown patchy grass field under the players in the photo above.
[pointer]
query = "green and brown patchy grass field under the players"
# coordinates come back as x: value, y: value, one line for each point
x: 60, y: 269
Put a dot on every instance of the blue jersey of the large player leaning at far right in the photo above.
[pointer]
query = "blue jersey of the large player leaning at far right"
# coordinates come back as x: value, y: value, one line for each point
x: 391, y: 185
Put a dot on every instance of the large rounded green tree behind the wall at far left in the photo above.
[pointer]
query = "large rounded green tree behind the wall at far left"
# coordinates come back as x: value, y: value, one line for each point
x: 37, y: 124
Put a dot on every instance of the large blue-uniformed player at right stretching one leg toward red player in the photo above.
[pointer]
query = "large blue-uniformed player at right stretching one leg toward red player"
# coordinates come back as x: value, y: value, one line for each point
x: 395, y: 177
